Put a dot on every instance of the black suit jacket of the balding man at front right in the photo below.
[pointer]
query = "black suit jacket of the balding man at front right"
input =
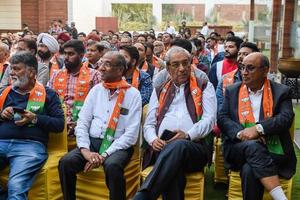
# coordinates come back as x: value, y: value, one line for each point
x: 279, y: 124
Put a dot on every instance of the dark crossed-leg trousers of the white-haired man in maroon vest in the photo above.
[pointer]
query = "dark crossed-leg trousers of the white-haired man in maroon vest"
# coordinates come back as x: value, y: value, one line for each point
x: 168, y: 174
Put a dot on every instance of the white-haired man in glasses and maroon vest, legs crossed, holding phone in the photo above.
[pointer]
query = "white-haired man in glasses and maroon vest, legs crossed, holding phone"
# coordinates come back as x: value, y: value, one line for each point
x: 185, y: 106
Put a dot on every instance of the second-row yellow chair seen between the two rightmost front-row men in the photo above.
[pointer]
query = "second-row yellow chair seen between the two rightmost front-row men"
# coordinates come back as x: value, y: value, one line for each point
x: 221, y: 174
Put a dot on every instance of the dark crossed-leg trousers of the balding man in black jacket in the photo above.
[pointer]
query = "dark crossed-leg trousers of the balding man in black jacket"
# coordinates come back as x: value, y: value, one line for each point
x: 254, y: 161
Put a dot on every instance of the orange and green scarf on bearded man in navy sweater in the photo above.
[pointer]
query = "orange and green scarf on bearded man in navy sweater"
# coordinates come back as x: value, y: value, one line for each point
x: 36, y: 101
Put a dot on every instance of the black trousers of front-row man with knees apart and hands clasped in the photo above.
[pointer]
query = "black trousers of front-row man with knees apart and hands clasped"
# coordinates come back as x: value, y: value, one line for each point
x: 74, y: 162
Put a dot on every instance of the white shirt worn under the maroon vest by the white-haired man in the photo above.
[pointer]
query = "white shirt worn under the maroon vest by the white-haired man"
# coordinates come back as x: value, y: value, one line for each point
x: 177, y: 117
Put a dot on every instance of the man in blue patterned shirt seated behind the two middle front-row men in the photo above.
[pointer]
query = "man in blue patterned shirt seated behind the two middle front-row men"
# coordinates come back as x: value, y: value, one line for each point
x: 137, y: 78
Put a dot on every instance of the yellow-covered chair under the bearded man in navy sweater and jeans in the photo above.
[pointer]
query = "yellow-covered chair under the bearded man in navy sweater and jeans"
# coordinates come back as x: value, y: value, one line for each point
x: 46, y: 184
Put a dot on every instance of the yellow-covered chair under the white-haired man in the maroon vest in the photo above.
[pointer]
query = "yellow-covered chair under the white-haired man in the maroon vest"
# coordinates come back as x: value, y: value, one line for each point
x: 194, y: 189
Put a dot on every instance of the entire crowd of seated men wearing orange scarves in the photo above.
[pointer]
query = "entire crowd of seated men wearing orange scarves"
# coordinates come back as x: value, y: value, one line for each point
x: 195, y: 87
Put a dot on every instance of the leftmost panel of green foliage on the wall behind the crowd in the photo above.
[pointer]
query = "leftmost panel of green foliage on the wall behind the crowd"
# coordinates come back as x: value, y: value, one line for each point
x: 134, y: 17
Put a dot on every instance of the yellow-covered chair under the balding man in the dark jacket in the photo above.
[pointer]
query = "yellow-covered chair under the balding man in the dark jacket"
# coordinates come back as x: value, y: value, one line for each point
x: 235, y: 188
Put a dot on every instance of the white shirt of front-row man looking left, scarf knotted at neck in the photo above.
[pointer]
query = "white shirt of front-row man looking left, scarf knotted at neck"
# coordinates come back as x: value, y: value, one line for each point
x: 95, y: 114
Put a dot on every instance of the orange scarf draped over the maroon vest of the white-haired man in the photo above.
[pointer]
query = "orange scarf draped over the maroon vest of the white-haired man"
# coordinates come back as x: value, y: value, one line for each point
x: 195, y: 91
